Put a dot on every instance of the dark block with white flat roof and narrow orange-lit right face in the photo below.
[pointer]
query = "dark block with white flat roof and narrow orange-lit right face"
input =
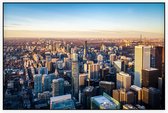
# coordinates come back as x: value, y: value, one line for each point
x: 137, y: 93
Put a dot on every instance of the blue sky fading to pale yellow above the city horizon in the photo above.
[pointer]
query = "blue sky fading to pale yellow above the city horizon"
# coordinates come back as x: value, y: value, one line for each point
x: 87, y: 20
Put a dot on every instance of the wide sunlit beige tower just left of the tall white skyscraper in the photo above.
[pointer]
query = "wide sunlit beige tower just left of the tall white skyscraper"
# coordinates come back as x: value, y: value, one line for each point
x: 123, y: 80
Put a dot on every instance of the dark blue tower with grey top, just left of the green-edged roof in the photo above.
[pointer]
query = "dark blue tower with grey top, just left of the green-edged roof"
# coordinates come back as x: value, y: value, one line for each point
x: 88, y: 92
